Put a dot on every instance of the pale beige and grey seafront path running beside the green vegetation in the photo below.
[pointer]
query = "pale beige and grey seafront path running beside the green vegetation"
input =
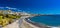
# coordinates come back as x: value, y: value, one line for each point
x: 17, y: 23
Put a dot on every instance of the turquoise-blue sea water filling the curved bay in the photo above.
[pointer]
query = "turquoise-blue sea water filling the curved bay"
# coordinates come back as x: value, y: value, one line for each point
x: 51, y: 20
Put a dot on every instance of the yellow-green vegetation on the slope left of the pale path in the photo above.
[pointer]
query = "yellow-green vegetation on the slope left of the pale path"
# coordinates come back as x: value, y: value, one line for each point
x: 7, y: 18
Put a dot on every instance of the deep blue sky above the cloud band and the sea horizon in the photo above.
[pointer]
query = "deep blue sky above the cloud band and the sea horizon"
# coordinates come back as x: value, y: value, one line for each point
x: 34, y: 6
